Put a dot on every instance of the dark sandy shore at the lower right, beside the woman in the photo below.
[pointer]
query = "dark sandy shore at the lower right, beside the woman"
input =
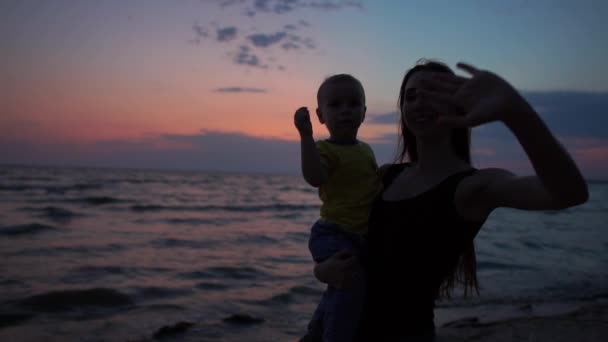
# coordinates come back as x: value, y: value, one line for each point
x: 559, y: 322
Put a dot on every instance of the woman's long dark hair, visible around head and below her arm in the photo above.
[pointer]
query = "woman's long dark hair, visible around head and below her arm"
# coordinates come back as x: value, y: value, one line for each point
x: 465, y: 271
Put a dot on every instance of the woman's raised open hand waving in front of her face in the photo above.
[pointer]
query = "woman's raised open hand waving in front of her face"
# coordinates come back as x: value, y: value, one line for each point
x: 468, y: 102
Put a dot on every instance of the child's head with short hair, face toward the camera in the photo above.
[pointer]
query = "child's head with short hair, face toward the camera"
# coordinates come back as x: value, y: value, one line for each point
x: 341, y: 106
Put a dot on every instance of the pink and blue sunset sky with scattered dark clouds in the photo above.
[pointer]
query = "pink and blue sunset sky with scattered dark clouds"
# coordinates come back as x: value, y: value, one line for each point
x: 213, y: 84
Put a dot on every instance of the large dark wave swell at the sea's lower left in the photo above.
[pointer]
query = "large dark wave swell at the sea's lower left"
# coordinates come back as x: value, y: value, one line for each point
x: 64, y: 300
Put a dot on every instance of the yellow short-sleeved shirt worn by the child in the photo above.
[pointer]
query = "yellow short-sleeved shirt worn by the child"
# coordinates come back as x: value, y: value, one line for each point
x: 352, y: 185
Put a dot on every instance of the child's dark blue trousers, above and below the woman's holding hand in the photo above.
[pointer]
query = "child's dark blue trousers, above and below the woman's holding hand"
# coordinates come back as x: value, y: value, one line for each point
x: 340, y: 310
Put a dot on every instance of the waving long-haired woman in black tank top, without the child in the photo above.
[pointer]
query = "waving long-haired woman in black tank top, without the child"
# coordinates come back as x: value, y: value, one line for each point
x: 423, y: 224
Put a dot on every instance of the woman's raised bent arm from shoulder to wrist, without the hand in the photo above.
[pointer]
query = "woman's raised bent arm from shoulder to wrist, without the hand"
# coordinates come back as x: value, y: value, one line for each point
x: 557, y: 183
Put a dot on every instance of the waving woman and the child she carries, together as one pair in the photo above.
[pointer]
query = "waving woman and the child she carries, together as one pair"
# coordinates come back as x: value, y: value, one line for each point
x: 392, y: 240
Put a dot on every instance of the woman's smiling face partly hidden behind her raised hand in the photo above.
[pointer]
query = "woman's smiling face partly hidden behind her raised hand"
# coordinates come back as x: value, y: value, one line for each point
x: 417, y: 112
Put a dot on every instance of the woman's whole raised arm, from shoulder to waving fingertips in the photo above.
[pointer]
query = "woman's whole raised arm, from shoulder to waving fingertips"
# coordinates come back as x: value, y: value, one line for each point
x: 557, y: 183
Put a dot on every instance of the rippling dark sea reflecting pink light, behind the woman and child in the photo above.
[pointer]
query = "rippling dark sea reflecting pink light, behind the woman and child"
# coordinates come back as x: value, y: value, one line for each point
x: 144, y: 255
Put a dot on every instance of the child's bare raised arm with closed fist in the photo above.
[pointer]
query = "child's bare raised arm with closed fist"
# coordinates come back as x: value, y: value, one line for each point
x: 312, y: 168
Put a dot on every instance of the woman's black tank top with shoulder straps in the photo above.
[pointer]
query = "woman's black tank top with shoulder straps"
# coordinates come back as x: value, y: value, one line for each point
x: 414, y: 244
